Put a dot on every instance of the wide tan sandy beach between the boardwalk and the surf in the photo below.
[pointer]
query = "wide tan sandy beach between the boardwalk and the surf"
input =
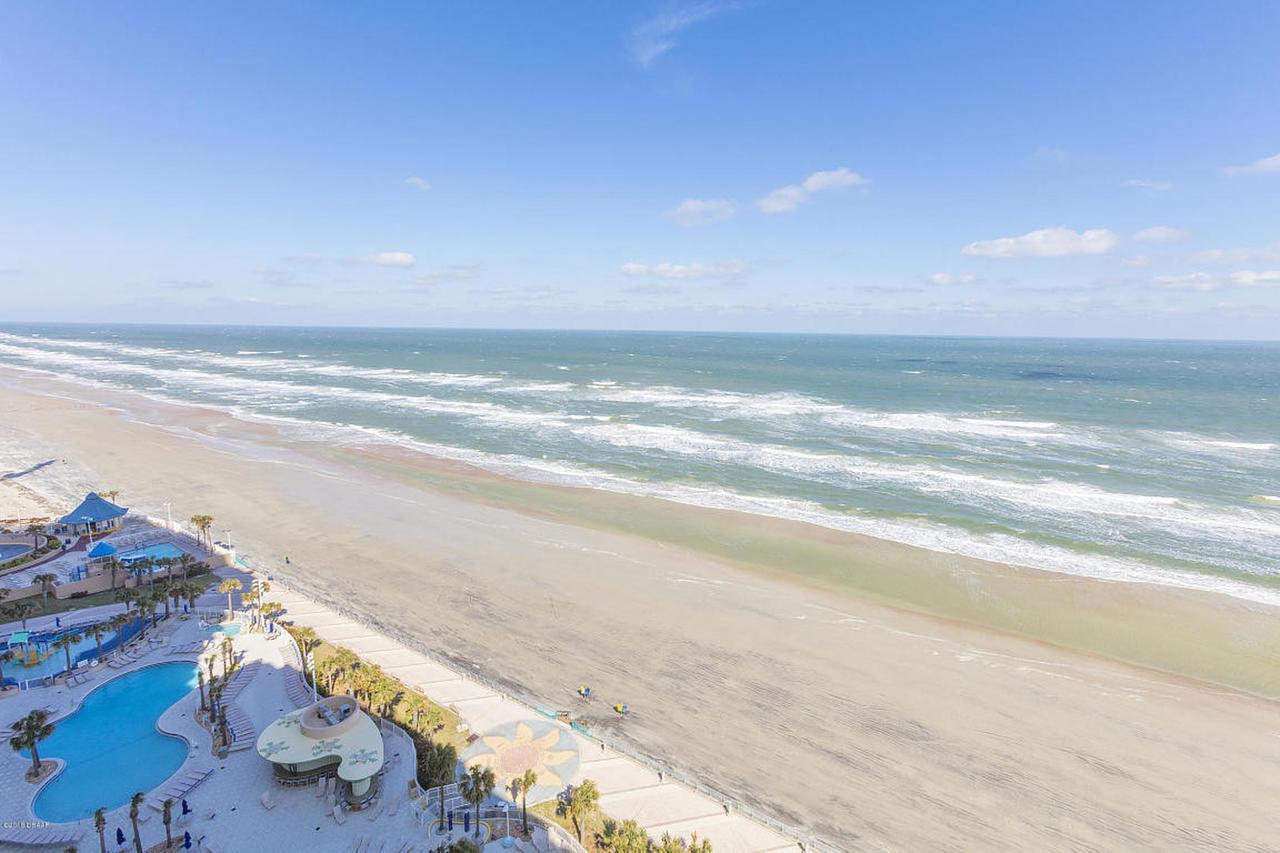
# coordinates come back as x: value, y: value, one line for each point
x: 879, y: 696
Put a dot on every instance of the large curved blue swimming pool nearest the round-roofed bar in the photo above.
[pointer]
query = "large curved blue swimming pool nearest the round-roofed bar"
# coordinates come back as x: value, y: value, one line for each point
x: 111, y: 745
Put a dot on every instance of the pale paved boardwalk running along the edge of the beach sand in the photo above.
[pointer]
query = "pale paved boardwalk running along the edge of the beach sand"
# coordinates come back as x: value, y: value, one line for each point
x: 628, y: 788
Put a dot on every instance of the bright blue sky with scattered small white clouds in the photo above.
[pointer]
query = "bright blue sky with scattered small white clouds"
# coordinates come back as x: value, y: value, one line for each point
x: 999, y: 168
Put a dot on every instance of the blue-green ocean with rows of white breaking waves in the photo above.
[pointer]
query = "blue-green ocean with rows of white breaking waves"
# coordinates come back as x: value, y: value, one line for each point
x: 1130, y: 460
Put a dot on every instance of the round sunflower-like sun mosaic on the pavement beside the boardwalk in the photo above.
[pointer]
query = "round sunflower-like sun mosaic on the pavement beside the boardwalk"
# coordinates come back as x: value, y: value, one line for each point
x: 548, y: 750
